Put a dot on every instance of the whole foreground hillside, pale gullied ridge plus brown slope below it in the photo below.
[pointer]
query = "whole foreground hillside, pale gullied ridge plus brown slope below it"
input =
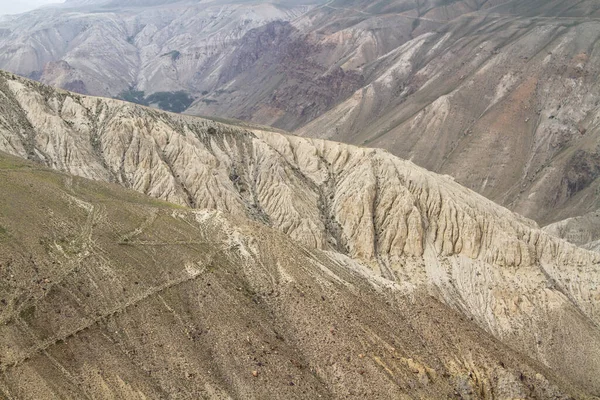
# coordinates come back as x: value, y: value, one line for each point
x: 280, y: 266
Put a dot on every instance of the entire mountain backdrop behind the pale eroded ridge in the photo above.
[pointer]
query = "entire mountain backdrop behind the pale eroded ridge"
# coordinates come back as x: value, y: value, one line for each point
x: 499, y: 94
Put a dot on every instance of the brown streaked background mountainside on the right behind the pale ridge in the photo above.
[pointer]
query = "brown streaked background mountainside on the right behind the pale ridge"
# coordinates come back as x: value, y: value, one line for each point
x: 504, y: 100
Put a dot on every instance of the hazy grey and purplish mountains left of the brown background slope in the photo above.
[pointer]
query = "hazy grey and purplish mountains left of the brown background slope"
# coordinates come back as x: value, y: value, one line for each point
x: 279, y: 63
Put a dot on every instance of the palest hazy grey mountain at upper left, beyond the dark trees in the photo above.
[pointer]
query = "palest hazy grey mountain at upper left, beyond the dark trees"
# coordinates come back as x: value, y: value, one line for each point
x: 110, y: 48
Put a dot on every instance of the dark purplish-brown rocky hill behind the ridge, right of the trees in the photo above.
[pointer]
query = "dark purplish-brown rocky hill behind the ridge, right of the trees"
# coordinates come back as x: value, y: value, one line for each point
x: 291, y: 87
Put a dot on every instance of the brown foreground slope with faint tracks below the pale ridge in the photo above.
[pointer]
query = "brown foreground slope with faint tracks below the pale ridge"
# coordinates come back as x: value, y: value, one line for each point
x: 108, y: 294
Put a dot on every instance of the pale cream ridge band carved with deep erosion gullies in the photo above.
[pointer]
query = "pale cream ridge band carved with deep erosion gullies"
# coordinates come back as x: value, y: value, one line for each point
x: 412, y: 228
